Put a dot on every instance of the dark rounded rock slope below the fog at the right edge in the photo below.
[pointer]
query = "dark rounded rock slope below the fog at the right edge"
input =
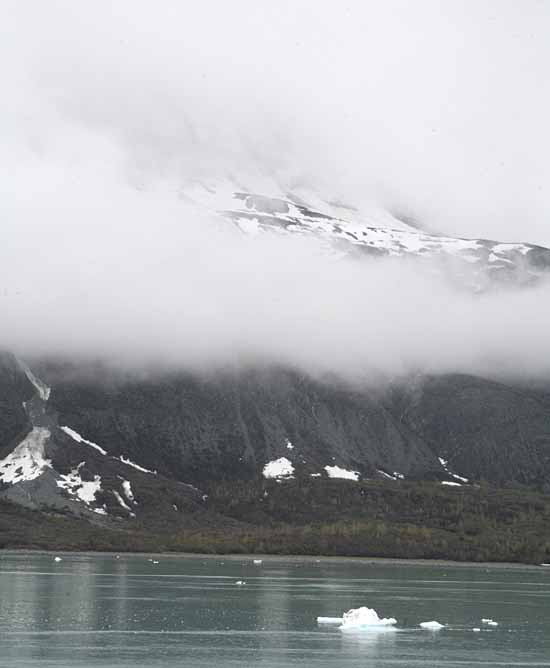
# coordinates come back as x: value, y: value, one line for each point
x: 486, y: 430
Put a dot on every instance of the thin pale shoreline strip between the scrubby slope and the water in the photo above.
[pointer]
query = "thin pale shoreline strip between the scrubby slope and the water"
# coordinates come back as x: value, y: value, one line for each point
x: 385, y: 561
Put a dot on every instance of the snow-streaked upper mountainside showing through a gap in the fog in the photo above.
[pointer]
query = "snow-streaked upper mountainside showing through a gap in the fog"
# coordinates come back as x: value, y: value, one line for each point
x: 477, y: 263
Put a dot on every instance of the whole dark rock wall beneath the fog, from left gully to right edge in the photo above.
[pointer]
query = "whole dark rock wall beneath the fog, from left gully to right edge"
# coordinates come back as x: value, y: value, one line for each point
x: 229, y: 426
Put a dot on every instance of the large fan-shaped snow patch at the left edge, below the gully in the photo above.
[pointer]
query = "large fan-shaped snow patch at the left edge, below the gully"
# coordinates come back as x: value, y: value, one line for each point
x: 27, y: 461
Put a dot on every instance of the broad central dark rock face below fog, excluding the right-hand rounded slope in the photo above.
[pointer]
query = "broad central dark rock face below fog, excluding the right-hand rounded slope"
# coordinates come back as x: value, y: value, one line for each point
x: 230, y: 426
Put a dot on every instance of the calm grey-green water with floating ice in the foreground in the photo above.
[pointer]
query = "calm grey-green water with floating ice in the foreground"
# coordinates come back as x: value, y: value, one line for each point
x: 100, y: 611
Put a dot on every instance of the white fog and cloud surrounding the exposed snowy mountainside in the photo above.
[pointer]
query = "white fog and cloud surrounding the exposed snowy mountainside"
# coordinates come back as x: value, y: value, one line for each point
x: 112, y: 108
